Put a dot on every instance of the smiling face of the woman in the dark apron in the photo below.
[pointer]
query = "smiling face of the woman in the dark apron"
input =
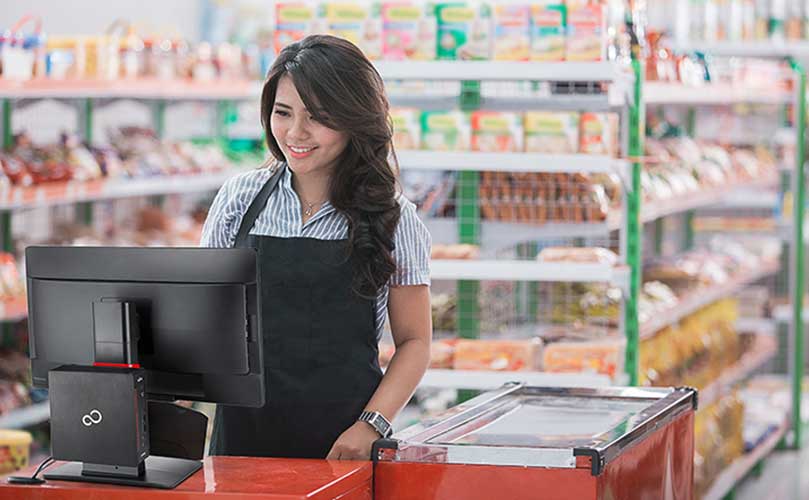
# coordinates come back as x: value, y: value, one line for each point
x: 308, y: 146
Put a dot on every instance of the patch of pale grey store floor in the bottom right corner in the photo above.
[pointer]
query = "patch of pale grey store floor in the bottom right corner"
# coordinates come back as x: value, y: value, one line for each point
x: 783, y: 478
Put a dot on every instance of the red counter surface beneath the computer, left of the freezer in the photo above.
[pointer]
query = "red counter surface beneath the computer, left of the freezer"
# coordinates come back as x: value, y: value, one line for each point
x: 226, y: 478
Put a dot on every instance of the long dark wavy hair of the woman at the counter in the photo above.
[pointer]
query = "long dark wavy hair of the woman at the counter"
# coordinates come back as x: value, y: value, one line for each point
x: 342, y: 90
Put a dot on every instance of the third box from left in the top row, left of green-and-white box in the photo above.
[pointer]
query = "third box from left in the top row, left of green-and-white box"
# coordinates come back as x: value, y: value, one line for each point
x: 409, y: 31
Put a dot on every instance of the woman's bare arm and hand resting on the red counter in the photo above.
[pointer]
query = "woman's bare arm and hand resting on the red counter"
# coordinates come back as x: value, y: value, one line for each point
x: 411, y: 324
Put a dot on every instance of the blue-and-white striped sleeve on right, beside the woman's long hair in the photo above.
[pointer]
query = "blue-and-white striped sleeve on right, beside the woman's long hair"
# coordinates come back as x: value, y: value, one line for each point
x: 412, y: 244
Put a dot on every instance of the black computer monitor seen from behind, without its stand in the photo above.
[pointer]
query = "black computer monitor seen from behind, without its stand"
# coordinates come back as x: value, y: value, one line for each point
x: 196, y: 308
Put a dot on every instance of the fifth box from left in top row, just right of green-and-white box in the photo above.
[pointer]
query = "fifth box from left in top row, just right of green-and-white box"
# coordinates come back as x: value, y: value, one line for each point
x: 512, y: 32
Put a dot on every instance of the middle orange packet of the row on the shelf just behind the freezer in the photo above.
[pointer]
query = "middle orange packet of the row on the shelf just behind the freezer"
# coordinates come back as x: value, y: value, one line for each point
x: 498, y: 355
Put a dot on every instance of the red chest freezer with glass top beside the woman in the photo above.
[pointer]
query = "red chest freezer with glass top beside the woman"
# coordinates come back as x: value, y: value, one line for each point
x: 521, y: 442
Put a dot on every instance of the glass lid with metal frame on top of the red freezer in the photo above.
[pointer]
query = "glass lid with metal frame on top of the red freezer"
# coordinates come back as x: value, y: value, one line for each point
x: 539, y: 427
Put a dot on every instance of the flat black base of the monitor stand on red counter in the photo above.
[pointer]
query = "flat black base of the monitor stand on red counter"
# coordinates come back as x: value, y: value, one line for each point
x: 160, y: 472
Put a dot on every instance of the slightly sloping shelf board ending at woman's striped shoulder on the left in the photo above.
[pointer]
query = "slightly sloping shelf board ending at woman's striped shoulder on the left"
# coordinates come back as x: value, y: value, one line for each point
x: 59, y: 193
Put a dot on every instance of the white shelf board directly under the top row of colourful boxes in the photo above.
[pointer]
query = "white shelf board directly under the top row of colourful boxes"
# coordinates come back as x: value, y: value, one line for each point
x: 499, y: 70
